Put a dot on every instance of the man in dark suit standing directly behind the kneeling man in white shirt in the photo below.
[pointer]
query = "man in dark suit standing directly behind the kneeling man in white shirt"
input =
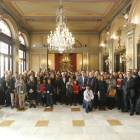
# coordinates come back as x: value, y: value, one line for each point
x: 93, y: 82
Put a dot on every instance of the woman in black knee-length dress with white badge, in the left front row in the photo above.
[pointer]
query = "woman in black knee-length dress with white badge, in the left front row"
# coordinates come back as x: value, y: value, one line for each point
x: 32, y: 95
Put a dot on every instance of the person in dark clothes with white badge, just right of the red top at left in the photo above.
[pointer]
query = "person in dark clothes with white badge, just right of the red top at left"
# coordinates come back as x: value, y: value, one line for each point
x: 49, y: 94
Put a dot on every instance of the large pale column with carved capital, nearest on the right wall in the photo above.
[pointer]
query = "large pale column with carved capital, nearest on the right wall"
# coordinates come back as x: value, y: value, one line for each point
x: 130, y: 47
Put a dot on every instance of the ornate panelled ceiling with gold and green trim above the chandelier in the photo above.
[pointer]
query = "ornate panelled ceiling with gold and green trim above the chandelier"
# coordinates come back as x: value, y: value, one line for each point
x: 82, y: 15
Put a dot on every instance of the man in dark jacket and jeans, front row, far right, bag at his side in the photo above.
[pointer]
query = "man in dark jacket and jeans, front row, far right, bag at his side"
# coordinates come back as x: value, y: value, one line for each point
x: 128, y: 84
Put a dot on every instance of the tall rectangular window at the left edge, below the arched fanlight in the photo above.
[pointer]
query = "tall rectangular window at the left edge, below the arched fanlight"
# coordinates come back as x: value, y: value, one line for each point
x: 5, y: 58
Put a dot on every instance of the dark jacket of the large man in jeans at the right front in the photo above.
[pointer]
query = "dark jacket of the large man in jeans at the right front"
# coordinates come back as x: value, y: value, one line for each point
x: 128, y: 85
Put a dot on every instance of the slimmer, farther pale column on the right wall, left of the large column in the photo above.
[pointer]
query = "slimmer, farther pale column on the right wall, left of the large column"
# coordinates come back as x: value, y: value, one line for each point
x: 111, y: 54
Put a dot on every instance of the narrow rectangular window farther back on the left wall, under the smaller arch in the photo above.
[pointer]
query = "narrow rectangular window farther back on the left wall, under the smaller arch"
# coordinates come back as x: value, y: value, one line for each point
x: 22, y: 61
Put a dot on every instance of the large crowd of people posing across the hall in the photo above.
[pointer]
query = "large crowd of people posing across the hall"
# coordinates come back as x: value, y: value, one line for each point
x: 92, y: 89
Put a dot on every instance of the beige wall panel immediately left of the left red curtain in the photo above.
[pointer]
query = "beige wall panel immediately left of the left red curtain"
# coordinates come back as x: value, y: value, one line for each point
x: 51, y: 60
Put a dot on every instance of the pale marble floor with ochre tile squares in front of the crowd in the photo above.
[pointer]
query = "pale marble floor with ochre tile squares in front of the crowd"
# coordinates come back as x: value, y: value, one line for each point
x: 67, y: 123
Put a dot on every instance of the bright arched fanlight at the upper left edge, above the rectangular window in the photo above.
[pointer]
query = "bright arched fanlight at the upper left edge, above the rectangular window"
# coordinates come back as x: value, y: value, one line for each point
x: 5, y: 28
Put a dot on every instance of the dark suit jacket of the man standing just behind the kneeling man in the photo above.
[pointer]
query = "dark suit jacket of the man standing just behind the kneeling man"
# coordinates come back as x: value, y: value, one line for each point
x: 95, y: 84
